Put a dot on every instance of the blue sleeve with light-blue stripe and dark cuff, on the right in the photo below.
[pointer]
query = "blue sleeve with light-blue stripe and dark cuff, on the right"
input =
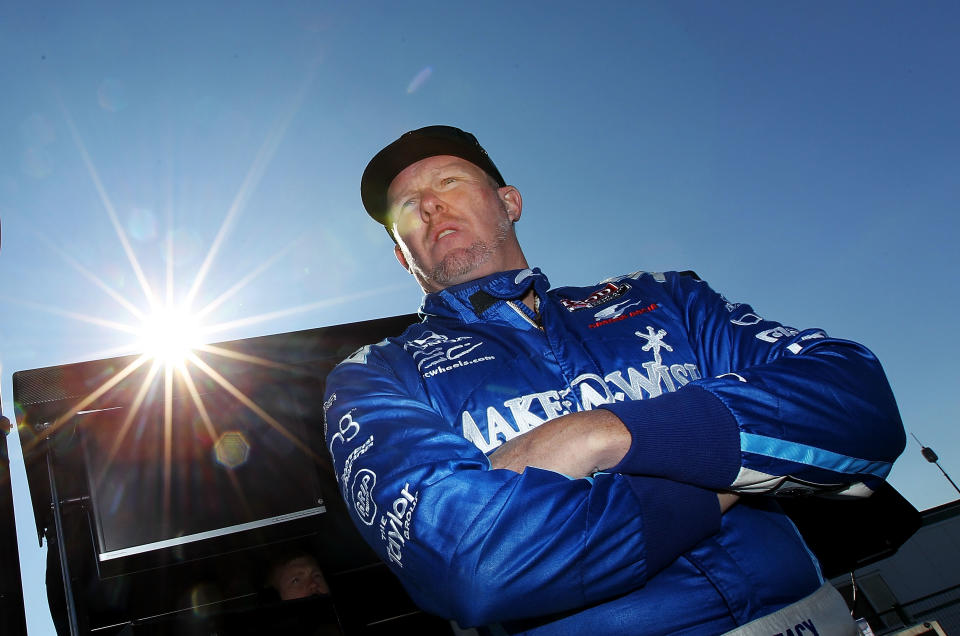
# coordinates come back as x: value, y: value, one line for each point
x: 786, y: 410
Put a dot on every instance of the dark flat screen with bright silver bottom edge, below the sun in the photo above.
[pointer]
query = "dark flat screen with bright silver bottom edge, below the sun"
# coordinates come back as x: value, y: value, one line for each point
x: 204, y: 464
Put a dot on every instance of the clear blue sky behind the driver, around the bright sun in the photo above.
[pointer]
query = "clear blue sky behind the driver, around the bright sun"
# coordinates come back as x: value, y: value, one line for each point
x: 802, y: 157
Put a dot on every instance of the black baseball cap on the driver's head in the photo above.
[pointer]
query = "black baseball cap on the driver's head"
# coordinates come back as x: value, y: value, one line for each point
x: 410, y: 148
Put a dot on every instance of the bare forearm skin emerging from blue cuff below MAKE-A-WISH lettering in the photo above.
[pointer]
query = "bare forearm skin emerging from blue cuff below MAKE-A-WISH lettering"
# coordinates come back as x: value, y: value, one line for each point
x: 576, y: 445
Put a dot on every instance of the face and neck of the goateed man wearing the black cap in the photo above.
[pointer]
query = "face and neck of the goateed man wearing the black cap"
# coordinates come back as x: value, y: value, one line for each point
x: 451, y: 222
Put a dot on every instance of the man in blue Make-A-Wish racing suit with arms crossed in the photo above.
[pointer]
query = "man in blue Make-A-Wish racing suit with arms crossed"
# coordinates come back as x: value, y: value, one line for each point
x: 505, y: 458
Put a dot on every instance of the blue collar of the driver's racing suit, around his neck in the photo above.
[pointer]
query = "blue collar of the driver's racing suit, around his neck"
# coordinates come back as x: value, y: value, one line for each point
x: 467, y: 301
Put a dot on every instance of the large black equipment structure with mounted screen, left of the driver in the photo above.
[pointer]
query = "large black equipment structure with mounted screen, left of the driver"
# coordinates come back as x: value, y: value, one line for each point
x: 163, y: 498
